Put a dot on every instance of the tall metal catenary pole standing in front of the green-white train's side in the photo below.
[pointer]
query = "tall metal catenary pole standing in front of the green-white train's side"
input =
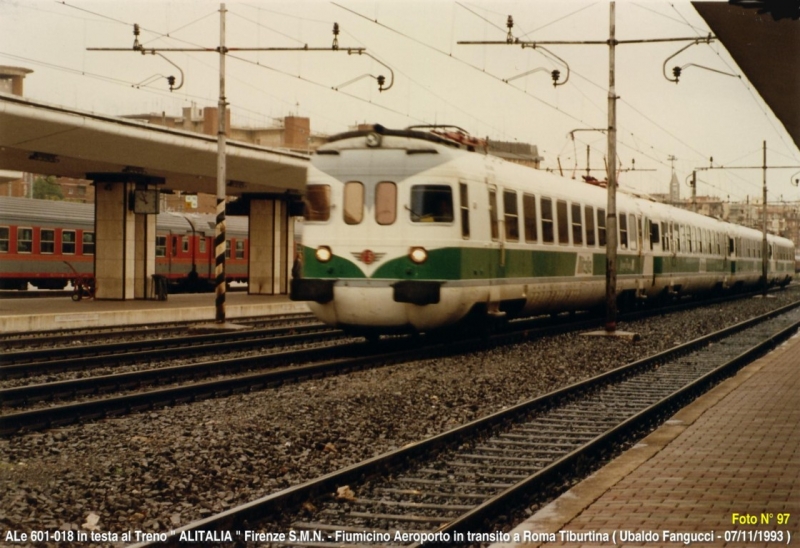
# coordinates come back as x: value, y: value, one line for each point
x: 611, y: 222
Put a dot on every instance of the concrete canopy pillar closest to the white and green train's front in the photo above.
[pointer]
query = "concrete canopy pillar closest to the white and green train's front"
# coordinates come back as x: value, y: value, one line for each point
x: 271, y: 240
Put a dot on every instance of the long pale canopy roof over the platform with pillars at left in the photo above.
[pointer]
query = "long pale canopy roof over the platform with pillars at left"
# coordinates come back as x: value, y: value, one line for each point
x: 52, y: 140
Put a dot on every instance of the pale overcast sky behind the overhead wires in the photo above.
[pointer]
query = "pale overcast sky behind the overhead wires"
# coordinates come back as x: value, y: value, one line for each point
x: 707, y: 114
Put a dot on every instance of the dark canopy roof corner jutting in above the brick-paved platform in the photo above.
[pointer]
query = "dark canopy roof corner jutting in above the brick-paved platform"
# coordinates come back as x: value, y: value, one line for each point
x: 763, y: 37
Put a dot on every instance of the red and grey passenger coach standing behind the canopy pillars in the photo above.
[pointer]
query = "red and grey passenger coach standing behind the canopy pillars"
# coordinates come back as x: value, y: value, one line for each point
x: 48, y: 243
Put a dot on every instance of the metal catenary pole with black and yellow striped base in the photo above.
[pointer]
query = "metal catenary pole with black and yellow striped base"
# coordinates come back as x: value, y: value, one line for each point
x: 219, y: 235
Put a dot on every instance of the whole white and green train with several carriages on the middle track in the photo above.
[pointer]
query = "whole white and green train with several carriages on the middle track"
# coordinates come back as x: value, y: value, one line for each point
x: 414, y: 230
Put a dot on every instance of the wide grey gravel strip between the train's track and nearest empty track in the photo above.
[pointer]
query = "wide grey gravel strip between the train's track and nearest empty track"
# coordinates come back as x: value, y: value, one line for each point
x: 158, y: 470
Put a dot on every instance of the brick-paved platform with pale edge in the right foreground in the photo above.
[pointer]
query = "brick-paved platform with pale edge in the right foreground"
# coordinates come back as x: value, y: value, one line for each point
x: 723, y: 471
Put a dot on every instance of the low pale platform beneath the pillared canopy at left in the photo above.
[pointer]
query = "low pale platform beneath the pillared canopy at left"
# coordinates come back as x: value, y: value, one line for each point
x: 54, y: 313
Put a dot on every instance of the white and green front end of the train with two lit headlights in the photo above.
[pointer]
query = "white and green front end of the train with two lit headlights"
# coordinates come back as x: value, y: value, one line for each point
x: 380, y: 239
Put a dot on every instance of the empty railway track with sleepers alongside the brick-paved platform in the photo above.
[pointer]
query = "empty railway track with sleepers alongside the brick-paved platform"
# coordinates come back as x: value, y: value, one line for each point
x: 438, y: 489
